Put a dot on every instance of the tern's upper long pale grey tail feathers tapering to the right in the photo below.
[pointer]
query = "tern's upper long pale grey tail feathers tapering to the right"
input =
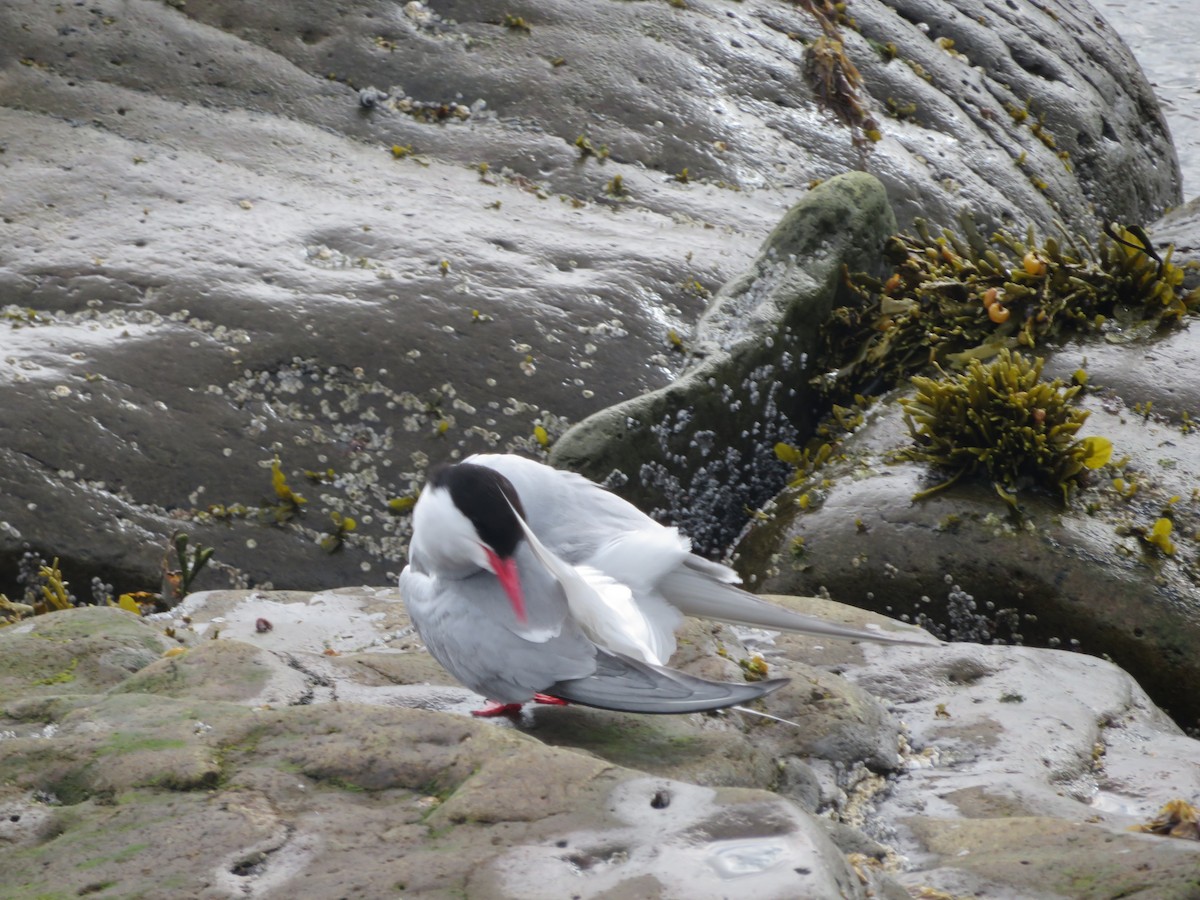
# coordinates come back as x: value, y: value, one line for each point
x: 694, y: 592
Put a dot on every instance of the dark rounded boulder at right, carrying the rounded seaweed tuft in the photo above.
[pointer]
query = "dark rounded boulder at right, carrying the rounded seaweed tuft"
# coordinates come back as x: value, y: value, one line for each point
x: 1051, y: 575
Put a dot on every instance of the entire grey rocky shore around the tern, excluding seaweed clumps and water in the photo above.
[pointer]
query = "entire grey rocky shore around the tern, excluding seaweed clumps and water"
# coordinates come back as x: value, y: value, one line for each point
x: 260, y: 268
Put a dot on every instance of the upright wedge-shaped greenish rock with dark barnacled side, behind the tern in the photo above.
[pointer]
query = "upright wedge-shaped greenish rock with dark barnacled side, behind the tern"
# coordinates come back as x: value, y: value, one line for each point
x: 701, y: 449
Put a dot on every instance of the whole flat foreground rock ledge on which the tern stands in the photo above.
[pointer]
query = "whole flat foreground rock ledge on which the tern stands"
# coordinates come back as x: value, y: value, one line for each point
x: 1006, y: 770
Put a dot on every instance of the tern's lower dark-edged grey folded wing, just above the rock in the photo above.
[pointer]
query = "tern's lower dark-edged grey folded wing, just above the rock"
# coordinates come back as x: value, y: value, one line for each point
x: 634, y: 687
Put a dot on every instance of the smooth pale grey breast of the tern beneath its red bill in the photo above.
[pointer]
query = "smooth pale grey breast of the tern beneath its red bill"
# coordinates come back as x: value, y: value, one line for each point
x: 470, y: 628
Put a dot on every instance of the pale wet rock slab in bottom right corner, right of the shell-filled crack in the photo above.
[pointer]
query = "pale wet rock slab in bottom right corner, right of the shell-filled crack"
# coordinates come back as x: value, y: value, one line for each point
x: 1023, y: 781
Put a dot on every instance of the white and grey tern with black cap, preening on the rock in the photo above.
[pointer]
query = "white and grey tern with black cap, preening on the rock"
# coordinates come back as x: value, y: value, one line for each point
x: 533, y: 584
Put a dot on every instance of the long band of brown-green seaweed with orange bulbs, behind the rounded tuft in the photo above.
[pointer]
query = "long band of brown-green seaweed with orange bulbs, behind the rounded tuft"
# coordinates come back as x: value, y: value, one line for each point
x: 951, y: 299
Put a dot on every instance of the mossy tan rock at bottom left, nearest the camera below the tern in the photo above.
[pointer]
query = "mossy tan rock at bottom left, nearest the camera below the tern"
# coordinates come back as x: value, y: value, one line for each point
x: 357, y: 797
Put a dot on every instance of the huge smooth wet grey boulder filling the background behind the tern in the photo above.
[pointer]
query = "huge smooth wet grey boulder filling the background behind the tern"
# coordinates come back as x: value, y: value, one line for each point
x: 231, y: 235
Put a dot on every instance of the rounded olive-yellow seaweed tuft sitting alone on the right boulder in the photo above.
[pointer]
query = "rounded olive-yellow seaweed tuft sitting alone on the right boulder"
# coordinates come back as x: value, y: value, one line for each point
x: 1004, y: 421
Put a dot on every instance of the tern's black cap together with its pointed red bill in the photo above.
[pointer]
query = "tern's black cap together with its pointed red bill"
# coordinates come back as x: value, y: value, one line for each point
x: 491, y: 505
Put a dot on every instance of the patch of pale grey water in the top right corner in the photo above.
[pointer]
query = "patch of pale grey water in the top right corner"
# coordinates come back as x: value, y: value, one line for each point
x: 1159, y: 34
